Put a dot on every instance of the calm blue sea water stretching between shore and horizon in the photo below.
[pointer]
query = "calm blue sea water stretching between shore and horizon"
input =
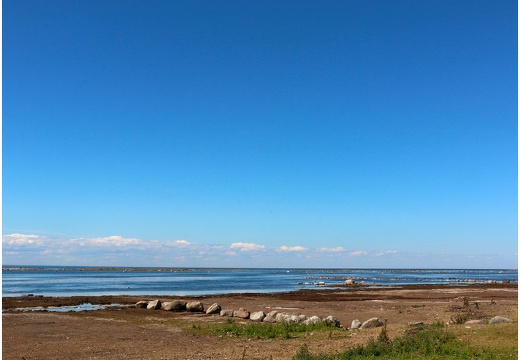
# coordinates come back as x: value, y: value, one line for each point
x: 70, y: 281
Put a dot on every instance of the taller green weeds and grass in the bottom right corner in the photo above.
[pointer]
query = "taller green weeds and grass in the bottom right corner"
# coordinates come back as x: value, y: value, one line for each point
x: 428, y: 342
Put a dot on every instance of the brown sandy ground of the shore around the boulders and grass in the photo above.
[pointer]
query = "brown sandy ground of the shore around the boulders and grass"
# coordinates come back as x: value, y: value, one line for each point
x: 131, y: 333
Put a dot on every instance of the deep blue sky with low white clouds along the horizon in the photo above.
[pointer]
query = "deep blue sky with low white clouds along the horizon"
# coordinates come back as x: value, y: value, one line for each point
x: 260, y: 134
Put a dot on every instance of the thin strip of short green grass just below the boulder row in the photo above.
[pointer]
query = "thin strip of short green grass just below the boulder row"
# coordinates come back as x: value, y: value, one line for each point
x: 264, y: 331
